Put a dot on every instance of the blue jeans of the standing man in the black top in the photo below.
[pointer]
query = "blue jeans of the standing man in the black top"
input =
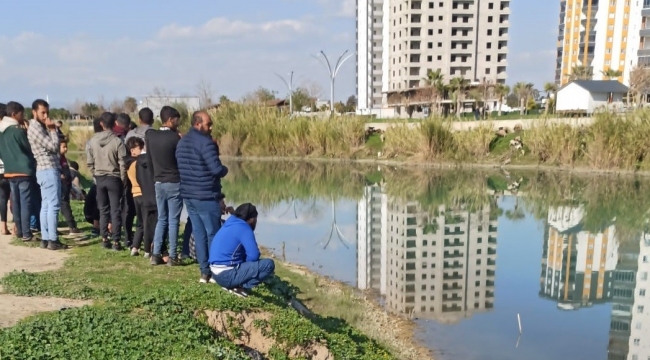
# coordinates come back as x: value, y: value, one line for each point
x: 170, y: 206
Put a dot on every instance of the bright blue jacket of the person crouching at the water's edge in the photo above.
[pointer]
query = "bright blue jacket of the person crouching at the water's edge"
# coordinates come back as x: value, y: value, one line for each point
x: 234, y: 244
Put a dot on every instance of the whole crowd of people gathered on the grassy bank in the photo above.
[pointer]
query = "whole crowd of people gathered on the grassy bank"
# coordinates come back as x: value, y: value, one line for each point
x: 143, y: 178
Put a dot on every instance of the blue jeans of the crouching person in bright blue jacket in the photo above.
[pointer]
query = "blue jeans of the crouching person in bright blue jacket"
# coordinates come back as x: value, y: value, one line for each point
x: 246, y: 275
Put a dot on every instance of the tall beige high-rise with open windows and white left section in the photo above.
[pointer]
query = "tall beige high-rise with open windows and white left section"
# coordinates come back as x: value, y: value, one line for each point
x: 398, y: 41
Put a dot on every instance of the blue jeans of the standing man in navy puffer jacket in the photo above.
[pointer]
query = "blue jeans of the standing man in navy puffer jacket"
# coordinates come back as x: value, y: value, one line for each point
x: 205, y: 216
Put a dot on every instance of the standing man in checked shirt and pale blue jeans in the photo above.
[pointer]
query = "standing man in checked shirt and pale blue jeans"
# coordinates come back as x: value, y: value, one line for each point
x: 44, y: 140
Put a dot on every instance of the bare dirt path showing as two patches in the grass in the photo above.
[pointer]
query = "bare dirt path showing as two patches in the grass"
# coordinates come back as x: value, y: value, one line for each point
x: 13, y: 308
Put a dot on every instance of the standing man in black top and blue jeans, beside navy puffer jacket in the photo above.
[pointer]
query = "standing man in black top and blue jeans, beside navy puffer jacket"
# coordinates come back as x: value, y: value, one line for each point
x: 161, y: 153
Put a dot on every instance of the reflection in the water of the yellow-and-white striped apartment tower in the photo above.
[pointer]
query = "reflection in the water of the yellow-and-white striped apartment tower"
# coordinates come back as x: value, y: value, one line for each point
x: 577, y: 265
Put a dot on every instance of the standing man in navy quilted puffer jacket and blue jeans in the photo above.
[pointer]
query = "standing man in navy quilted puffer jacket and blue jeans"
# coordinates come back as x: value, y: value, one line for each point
x: 201, y: 172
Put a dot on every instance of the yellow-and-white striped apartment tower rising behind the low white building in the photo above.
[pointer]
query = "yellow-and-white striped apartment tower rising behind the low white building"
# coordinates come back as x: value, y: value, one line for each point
x: 603, y: 35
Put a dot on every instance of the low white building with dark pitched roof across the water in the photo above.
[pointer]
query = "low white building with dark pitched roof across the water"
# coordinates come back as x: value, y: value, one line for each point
x: 589, y: 96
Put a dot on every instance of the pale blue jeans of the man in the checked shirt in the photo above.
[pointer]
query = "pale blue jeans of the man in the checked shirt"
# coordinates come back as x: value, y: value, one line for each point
x: 50, y: 182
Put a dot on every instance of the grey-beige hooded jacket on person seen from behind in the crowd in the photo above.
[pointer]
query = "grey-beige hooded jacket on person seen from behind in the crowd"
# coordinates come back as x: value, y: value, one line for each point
x: 106, y: 154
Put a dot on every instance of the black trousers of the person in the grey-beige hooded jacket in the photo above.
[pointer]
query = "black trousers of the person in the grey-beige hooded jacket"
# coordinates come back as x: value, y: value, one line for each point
x: 110, y: 191
